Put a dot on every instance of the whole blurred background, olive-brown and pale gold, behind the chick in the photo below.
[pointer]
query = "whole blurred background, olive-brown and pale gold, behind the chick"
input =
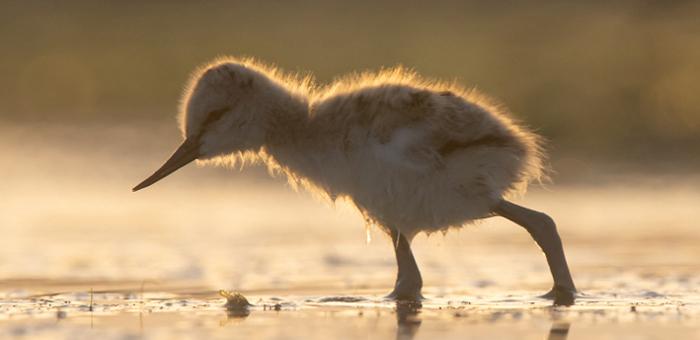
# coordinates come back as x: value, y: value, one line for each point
x: 89, y: 92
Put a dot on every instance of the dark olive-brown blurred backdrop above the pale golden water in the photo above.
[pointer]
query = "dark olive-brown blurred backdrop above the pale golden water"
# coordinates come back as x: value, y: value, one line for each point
x: 601, y: 80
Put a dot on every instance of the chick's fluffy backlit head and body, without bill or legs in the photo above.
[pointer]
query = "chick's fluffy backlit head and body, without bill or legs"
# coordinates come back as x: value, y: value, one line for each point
x: 412, y: 154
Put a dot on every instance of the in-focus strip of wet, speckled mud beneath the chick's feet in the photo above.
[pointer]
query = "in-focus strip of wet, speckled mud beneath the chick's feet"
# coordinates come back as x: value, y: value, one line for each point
x: 178, y: 315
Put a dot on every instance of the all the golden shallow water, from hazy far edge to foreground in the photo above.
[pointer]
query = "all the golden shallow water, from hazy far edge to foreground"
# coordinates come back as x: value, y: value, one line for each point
x: 151, y: 263
